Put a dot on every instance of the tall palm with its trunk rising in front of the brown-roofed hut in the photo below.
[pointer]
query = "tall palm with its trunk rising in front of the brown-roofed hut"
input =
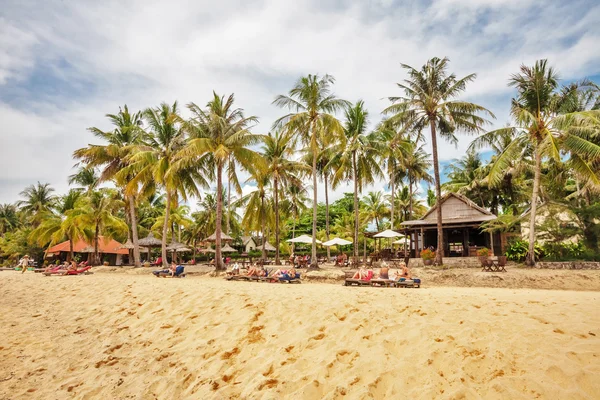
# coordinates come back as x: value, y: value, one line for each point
x: 429, y: 101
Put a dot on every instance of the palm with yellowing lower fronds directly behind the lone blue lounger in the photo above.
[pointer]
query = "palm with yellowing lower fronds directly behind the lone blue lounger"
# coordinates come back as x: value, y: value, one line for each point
x: 156, y: 162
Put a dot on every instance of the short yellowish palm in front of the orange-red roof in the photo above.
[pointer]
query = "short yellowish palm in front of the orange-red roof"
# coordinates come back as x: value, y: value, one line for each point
x: 98, y: 213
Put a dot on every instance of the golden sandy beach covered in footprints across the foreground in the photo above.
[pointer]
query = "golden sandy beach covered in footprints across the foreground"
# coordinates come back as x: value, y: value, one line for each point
x: 119, y: 336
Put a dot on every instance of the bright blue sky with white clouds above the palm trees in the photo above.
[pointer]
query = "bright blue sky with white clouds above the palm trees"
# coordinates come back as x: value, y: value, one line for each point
x: 65, y: 64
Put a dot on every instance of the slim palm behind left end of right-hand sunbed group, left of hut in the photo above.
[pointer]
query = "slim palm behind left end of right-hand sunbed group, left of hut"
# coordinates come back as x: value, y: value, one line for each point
x: 358, y: 157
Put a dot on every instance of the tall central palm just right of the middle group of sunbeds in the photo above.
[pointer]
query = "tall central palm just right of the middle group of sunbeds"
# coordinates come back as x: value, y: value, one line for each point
x: 312, y: 105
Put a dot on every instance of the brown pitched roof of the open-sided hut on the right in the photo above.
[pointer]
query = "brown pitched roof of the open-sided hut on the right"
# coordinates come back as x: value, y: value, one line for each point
x: 456, y: 209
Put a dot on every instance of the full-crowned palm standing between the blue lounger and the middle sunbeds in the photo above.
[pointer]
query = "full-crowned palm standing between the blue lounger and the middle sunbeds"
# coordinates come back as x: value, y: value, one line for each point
x: 220, y: 134
